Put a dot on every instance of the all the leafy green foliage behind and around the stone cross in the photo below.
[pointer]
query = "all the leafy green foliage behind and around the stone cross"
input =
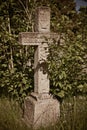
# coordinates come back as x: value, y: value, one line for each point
x: 67, y: 59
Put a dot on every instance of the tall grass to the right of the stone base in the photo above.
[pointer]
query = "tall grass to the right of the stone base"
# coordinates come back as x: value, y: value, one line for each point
x: 74, y: 114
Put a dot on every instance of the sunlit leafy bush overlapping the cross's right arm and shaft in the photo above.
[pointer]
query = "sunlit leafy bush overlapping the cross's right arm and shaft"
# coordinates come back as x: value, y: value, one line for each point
x: 67, y: 67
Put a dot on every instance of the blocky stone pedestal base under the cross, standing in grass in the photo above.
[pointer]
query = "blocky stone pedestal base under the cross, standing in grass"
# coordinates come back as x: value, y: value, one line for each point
x: 41, y: 112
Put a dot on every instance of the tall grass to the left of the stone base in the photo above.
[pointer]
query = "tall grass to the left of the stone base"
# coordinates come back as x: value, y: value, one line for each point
x: 11, y: 116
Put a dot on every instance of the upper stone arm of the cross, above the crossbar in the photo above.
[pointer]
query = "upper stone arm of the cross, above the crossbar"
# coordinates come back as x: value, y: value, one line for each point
x: 42, y: 21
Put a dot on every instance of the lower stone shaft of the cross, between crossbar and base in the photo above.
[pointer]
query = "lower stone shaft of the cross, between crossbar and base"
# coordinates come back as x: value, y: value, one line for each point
x: 41, y: 79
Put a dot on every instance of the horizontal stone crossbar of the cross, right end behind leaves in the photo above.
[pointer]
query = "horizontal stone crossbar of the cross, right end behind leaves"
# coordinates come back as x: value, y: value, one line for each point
x: 36, y: 38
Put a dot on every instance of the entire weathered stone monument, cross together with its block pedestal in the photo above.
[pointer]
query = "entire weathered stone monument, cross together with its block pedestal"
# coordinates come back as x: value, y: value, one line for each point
x: 40, y: 108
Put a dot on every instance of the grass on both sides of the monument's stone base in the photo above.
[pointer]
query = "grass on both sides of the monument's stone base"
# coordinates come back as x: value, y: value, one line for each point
x: 73, y: 115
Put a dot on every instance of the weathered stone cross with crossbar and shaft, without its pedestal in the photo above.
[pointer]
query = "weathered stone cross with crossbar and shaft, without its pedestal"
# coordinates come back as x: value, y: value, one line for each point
x: 38, y: 39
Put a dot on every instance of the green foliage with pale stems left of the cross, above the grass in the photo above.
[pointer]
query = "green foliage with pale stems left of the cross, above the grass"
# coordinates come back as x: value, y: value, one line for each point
x: 15, y: 74
